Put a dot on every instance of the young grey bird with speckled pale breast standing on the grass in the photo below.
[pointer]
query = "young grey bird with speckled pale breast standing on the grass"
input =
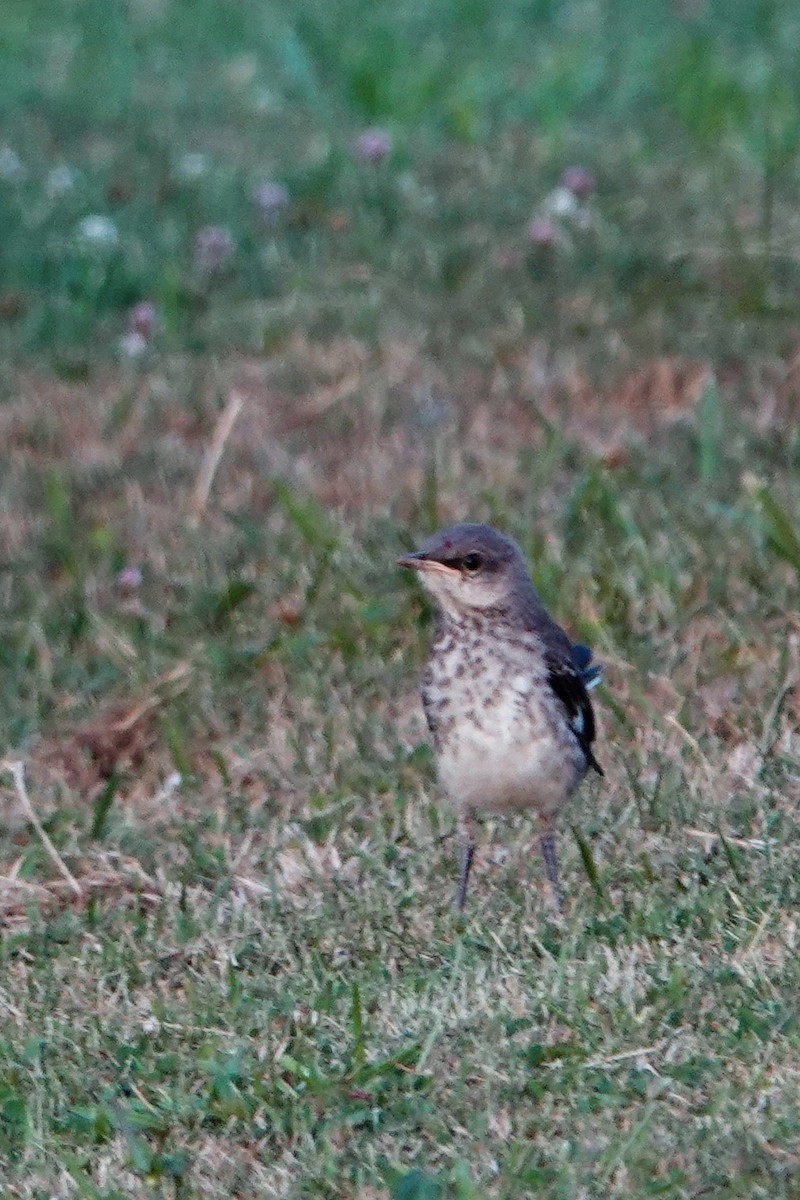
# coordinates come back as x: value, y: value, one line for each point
x: 506, y: 692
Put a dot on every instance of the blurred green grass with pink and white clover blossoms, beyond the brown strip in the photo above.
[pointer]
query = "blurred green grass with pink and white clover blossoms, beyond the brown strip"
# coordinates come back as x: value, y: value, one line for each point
x: 467, y: 178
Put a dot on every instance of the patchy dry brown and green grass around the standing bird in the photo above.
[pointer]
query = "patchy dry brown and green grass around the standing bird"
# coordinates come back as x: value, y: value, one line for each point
x: 273, y: 838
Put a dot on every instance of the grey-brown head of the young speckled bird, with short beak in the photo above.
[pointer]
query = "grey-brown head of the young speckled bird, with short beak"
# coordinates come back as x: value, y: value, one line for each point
x: 471, y: 568
